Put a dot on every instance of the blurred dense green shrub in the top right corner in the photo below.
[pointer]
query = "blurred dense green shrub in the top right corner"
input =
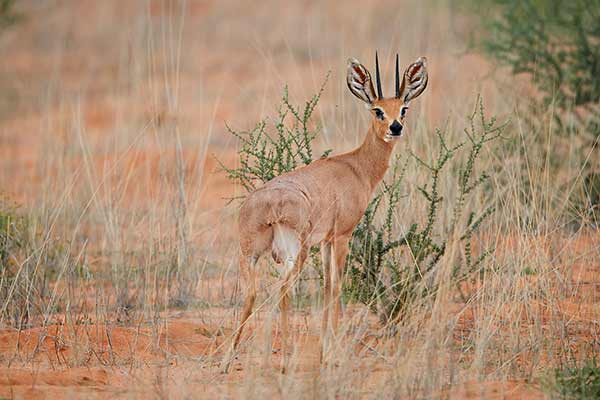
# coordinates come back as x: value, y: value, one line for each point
x: 554, y: 41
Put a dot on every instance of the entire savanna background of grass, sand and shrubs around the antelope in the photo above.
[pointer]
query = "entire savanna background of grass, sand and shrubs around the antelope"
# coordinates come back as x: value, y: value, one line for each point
x: 128, y: 138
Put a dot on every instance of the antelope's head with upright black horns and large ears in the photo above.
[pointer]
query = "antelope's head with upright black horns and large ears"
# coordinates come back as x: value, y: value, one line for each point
x: 388, y: 113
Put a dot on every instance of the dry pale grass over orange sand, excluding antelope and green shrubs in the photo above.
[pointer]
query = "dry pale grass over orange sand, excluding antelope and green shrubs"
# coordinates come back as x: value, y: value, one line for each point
x: 110, y: 117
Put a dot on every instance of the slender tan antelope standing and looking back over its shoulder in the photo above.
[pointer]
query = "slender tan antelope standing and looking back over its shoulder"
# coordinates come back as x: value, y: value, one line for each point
x: 321, y: 203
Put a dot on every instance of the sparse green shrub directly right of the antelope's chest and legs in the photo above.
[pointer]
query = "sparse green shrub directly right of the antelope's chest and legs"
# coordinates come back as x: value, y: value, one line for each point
x: 388, y: 279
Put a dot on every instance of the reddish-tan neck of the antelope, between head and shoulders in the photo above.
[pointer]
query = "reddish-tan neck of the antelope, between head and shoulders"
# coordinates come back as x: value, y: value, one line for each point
x: 373, y: 157
